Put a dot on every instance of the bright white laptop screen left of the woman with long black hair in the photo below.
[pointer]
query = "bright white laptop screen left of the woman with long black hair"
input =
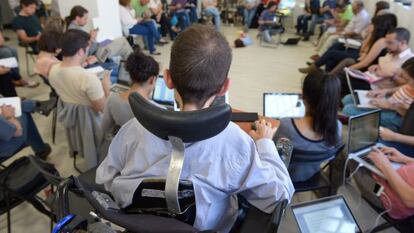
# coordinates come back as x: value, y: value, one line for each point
x: 280, y: 105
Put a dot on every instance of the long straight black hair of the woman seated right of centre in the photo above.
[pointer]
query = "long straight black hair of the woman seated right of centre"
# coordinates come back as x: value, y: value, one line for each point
x: 322, y: 94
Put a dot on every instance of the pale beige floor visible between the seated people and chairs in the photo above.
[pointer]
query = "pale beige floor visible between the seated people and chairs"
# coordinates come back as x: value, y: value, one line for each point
x: 254, y: 70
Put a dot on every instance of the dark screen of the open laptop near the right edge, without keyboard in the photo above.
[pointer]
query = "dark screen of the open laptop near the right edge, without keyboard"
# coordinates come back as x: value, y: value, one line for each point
x: 363, y: 131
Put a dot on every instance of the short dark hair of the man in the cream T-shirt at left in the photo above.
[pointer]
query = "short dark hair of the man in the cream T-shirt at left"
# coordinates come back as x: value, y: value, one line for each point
x: 73, y: 40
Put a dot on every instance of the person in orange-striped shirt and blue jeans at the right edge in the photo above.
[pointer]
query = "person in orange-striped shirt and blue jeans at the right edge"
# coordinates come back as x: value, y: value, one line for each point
x: 394, y: 107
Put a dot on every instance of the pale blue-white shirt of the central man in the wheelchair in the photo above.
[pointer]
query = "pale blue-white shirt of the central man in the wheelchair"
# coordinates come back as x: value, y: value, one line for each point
x: 220, y: 167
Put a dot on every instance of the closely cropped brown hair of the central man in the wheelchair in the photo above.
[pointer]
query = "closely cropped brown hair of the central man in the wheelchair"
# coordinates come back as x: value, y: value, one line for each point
x: 199, y: 64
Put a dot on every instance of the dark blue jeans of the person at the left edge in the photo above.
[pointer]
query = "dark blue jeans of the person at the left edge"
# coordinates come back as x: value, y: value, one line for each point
x: 30, y: 134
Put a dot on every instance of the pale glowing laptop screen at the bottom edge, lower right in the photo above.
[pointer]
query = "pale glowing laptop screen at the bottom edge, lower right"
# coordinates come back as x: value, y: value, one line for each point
x: 329, y: 214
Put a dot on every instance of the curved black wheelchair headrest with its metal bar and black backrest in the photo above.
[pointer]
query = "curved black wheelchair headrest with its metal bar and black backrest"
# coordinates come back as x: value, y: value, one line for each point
x: 178, y: 128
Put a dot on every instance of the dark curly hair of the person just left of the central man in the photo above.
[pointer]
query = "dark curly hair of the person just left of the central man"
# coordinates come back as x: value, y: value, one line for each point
x: 141, y: 67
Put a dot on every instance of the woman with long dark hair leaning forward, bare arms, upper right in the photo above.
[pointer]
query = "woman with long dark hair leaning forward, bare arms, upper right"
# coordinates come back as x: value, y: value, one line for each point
x: 373, y: 47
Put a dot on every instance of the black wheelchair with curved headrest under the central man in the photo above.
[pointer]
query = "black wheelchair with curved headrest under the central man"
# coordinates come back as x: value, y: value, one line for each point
x: 164, y: 205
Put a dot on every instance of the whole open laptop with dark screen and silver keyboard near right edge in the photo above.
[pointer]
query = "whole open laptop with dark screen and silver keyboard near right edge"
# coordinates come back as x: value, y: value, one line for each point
x: 363, y: 135
